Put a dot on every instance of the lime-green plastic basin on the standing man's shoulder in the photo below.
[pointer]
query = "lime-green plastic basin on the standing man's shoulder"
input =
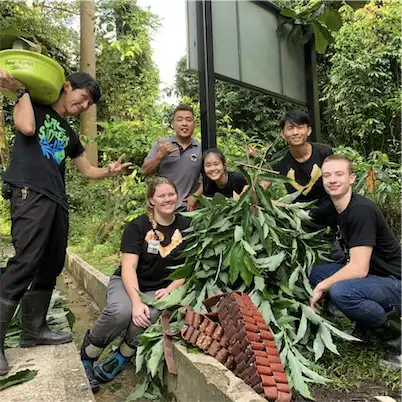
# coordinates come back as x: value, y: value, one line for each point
x: 43, y: 76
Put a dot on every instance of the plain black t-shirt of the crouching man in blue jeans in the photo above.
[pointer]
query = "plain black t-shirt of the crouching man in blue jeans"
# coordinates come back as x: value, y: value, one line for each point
x: 363, y: 224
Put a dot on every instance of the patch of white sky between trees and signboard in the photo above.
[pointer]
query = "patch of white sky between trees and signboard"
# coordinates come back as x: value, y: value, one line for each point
x: 169, y: 42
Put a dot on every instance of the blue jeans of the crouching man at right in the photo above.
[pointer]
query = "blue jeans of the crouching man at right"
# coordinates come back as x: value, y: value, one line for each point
x: 364, y: 300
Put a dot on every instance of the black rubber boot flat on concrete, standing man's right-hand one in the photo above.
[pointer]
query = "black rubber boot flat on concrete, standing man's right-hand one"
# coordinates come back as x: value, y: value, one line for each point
x: 35, y: 330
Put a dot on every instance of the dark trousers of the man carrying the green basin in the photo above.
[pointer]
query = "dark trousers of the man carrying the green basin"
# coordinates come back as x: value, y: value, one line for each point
x: 39, y: 229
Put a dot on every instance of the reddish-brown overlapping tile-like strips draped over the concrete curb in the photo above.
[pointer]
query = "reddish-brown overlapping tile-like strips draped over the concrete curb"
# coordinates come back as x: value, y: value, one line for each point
x: 242, y: 342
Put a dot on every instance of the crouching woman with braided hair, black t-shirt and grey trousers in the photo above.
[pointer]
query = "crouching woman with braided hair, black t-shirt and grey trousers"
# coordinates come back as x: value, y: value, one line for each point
x: 149, y: 246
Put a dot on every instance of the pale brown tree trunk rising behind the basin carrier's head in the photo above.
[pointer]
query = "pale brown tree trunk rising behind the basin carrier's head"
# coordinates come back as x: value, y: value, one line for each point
x: 87, y: 64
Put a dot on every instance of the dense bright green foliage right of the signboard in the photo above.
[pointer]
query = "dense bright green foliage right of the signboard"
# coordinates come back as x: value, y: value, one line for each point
x: 362, y: 91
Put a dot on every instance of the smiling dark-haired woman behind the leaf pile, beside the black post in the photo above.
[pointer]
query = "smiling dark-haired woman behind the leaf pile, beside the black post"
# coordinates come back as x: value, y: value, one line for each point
x: 218, y: 179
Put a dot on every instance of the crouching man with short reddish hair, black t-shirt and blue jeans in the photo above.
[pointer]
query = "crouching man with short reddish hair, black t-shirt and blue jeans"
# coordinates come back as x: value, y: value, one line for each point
x: 368, y: 288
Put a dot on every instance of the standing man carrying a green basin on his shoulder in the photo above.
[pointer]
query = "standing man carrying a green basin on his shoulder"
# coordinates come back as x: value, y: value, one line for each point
x: 39, y: 215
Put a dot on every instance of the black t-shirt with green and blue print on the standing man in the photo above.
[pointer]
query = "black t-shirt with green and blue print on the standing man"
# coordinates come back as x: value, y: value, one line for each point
x: 38, y: 161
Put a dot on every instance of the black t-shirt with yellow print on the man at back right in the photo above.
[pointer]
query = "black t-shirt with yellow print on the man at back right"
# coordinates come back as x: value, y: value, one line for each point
x: 306, y: 175
